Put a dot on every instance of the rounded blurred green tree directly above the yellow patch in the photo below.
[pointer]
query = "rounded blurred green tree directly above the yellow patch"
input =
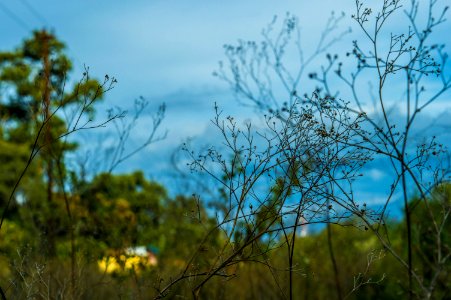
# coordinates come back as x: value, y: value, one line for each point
x: 121, y: 210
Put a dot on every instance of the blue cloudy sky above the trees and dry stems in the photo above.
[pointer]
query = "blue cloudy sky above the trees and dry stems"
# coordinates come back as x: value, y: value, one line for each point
x: 166, y: 51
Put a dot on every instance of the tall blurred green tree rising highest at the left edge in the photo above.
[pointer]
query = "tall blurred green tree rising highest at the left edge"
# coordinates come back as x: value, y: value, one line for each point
x: 32, y: 90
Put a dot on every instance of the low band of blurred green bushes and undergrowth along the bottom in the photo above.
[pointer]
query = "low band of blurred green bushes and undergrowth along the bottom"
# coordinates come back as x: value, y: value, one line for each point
x: 115, y: 212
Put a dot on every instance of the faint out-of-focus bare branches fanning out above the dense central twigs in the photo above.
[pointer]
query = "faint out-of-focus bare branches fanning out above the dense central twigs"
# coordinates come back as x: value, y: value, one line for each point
x: 264, y: 67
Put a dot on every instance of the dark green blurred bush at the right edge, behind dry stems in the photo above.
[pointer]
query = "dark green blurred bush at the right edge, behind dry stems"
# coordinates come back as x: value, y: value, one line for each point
x: 431, y: 239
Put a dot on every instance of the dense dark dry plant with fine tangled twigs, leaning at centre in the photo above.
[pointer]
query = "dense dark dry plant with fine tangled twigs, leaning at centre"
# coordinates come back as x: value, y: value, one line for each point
x: 248, y: 172
